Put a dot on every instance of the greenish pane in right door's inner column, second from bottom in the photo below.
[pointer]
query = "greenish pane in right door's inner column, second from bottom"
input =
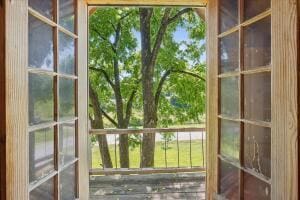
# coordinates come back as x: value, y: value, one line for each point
x: 230, y: 139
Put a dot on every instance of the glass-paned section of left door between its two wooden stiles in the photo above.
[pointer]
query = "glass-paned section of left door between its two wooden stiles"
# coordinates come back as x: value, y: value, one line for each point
x: 52, y: 105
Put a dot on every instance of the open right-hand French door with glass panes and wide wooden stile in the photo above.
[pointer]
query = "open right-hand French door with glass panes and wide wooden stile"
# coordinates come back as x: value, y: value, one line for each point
x: 252, y: 98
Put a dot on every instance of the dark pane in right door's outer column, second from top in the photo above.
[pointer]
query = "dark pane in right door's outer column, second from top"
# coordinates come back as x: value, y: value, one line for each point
x: 257, y: 44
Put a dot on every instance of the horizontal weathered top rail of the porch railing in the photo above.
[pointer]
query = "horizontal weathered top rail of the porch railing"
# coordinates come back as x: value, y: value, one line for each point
x: 145, y: 130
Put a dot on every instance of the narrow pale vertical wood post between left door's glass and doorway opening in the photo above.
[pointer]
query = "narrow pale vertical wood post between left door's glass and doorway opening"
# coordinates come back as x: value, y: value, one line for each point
x: 83, y: 101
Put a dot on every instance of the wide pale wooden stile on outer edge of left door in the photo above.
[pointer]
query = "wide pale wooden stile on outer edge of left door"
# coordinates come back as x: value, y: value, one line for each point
x: 16, y: 61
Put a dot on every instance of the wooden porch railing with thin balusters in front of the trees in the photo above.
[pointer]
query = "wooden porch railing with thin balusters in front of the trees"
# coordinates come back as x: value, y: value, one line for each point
x: 192, y: 138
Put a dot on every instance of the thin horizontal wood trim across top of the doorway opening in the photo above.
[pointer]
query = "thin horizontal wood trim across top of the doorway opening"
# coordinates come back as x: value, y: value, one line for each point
x: 148, y: 2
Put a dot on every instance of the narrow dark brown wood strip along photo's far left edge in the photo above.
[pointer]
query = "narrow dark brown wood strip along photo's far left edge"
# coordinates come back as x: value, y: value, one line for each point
x: 2, y: 104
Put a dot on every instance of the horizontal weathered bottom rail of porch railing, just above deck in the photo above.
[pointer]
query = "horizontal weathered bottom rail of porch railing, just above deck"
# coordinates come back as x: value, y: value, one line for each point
x: 125, y: 171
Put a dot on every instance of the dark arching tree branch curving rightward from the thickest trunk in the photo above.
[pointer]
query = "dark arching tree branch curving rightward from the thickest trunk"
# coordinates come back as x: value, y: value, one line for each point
x: 164, y: 78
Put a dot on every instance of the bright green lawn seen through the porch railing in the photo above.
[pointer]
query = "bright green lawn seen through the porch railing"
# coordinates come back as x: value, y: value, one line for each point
x: 159, y: 158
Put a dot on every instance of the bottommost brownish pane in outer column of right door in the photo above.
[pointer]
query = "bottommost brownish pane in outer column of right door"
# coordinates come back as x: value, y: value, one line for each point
x: 255, y: 189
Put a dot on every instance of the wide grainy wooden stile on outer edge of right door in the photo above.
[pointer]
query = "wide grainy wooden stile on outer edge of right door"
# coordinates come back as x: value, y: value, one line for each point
x: 284, y: 157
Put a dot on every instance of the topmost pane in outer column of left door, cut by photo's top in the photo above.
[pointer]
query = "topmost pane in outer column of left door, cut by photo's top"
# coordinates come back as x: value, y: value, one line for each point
x: 45, y: 7
